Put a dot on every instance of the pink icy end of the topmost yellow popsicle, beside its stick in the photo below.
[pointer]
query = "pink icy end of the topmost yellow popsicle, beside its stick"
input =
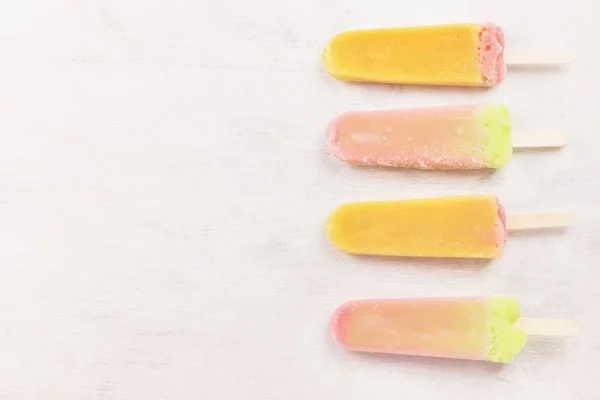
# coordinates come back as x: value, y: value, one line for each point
x: 490, y: 54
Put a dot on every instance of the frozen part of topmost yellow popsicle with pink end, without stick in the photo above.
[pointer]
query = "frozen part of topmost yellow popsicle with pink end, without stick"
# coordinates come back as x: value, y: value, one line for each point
x: 453, y: 54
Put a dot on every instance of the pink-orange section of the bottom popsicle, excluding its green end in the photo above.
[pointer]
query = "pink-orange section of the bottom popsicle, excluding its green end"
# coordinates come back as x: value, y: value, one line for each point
x: 448, y: 328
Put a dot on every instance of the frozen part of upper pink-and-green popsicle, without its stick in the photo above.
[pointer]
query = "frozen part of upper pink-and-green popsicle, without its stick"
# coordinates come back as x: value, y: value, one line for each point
x: 451, y: 137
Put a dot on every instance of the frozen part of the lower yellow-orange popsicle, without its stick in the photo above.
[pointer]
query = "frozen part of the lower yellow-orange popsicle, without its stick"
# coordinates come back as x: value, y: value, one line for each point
x: 458, y: 226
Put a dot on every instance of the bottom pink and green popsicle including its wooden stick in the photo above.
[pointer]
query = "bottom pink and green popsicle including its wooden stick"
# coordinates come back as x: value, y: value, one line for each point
x: 473, y: 328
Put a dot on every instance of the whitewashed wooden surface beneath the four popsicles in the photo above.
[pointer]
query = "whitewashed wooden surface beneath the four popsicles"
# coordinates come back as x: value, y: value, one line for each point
x: 164, y: 183
